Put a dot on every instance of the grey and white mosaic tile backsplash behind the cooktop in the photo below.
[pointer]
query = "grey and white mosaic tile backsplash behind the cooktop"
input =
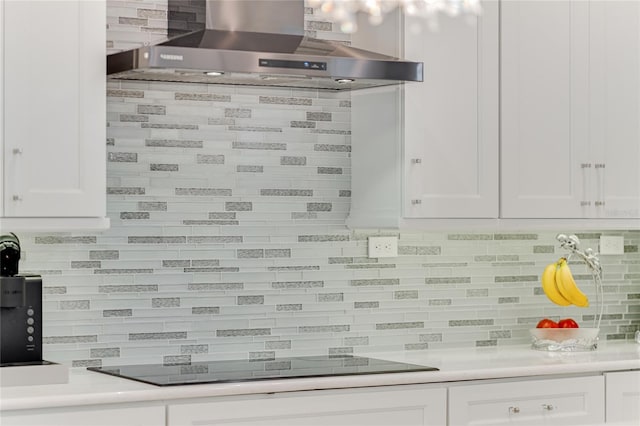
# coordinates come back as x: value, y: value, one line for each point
x: 228, y: 240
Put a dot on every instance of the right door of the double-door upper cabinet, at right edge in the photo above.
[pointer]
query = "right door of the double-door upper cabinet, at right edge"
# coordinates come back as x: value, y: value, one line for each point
x: 614, y: 122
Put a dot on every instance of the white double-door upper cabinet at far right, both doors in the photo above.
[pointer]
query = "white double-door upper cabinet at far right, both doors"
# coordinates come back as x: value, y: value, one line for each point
x: 570, y: 109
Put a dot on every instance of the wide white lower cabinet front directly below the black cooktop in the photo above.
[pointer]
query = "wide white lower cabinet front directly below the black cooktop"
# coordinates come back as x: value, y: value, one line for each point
x: 384, y: 406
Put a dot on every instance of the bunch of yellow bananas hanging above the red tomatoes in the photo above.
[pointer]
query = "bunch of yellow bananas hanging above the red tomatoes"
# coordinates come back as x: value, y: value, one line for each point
x: 560, y: 287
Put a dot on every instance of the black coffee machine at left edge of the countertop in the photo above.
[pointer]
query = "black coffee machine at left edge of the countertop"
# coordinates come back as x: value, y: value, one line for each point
x: 20, y: 308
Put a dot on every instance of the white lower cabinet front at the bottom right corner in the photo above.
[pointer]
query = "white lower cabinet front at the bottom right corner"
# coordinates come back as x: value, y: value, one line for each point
x: 623, y: 397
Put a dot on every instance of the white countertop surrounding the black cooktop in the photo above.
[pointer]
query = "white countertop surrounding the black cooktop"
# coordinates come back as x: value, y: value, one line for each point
x: 88, y: 388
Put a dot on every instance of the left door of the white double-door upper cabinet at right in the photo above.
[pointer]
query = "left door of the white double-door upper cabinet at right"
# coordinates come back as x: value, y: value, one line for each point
x: 544, y: 109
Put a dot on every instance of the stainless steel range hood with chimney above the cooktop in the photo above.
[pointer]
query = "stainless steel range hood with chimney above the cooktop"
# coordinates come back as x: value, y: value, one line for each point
x: 256, y: 43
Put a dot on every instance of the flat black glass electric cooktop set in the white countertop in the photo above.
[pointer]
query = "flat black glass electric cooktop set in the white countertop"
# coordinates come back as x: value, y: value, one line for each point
x: 245, y: 370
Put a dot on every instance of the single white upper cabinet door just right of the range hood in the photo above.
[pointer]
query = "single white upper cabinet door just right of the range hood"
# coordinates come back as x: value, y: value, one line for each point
x: 451, y: 119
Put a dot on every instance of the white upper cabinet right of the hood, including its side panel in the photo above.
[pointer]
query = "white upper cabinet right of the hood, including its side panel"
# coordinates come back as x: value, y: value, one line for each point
x: 430, y: 149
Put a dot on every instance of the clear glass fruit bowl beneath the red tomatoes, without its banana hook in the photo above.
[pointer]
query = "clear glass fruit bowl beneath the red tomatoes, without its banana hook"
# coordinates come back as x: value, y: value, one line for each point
x: 564, y: 339
